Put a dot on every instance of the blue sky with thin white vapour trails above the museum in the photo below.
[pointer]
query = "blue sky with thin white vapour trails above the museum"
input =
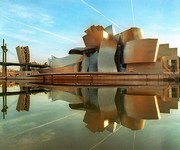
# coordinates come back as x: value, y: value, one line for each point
x: 52, y: 27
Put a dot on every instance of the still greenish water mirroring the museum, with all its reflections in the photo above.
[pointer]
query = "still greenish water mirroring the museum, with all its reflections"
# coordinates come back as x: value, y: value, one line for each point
x: 84, y: 118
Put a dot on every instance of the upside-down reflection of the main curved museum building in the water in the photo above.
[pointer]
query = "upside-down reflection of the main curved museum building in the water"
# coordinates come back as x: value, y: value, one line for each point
x: 105, y: 107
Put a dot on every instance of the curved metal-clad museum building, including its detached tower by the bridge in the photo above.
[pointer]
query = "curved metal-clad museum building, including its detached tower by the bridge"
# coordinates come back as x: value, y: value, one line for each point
x: 107, y: 52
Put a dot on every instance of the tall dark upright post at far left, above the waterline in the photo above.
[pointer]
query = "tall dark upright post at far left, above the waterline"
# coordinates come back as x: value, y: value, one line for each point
x: 4, y: 67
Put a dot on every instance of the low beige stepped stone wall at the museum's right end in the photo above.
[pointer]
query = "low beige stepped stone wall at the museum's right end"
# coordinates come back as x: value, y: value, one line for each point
x: 167, y: 62
